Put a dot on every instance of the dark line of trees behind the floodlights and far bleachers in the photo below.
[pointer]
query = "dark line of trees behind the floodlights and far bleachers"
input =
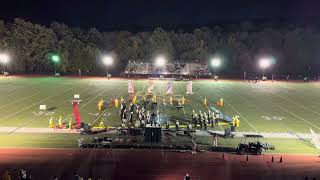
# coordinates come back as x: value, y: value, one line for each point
x: 296, y: 48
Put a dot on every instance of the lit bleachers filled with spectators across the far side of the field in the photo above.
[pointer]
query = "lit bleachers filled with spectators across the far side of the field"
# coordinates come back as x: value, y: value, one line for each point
x: 176, y: 68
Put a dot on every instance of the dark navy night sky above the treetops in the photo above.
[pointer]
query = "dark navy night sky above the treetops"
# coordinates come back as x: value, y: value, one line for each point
x: 120, y: 14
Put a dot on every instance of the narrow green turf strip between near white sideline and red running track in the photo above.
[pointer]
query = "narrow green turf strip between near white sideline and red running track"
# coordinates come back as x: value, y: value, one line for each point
x: 47, y: 140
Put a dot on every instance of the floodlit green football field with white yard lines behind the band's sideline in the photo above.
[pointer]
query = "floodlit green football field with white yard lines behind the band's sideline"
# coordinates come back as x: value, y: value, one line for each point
x: 262, y: 107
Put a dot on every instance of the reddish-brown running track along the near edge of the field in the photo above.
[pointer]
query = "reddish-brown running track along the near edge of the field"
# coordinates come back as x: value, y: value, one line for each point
x: 154, y: 164
